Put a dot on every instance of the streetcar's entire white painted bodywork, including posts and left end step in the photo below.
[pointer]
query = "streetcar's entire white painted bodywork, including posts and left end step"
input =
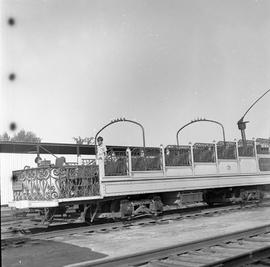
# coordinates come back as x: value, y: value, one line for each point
x: 223, y: 173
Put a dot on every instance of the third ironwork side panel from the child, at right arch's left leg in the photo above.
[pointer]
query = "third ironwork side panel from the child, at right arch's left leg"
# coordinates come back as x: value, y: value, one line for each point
x: 178, y: 156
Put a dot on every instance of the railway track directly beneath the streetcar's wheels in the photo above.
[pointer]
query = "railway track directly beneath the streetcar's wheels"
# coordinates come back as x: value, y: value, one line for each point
x: 23, y: 223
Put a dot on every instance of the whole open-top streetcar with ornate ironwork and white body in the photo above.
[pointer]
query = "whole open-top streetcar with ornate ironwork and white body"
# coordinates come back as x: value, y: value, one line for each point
x: 147, y: 180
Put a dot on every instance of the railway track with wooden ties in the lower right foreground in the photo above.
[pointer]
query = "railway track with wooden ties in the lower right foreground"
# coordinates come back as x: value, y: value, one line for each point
x: 245, y: 248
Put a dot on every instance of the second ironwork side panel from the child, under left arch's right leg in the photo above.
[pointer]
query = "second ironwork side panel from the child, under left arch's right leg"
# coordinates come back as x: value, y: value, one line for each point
x: 146, y: 159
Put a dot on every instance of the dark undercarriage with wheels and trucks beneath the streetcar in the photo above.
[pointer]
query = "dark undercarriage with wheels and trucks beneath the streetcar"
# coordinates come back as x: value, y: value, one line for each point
x: 128, y: 207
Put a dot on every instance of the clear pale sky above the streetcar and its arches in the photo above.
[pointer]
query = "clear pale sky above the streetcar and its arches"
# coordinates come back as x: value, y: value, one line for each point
x: 80, y: 64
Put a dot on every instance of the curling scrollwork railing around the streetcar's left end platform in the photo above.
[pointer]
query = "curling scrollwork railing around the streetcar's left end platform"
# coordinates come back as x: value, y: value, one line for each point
x: 56, y: 183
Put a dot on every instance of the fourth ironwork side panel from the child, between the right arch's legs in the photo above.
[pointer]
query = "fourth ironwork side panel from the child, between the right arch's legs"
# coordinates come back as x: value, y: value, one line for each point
x: 203, y: 152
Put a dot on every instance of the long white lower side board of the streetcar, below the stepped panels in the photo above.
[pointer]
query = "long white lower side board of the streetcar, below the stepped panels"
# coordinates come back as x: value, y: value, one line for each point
x: 113, y: 186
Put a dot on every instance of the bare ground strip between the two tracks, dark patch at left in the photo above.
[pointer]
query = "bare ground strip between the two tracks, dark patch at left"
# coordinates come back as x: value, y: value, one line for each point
x: 64, y: 250
